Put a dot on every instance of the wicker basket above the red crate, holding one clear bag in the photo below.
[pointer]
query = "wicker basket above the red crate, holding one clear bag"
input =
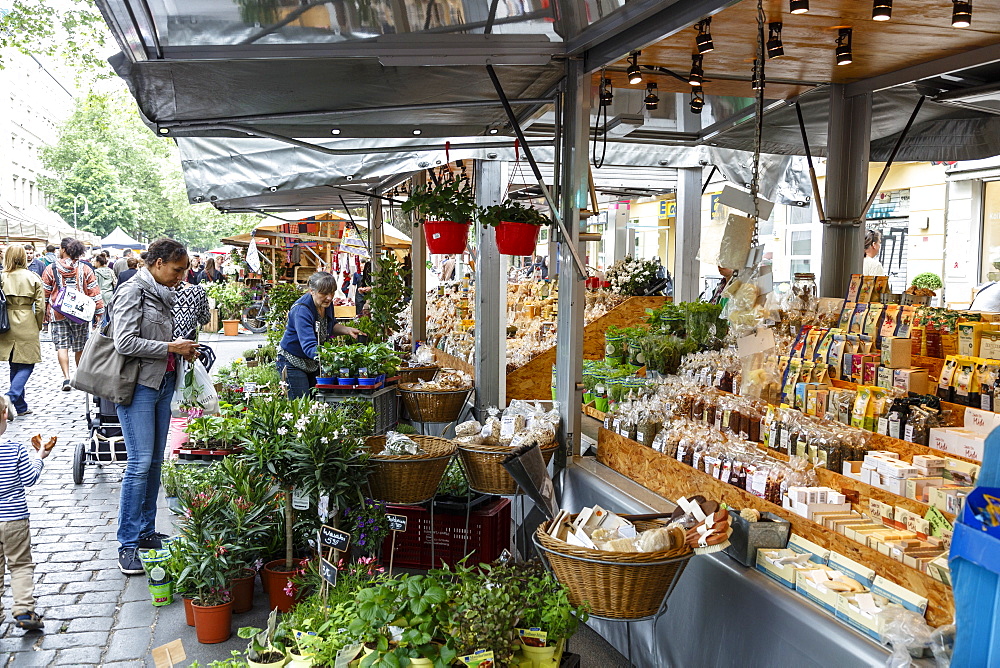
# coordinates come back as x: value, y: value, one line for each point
x: 408, y: 479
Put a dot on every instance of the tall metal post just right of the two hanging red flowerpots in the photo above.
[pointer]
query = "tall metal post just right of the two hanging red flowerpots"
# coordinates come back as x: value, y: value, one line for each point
x: 572, y: 301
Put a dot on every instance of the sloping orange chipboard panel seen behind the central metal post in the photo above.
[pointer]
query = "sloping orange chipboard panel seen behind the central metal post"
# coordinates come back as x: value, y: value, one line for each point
x: 534, y: 379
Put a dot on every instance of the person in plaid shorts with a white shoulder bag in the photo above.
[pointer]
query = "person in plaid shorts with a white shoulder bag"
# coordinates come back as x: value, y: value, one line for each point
x: 68, y: 335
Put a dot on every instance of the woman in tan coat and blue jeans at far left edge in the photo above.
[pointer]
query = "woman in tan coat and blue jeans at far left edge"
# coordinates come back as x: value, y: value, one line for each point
x: 20, y: 344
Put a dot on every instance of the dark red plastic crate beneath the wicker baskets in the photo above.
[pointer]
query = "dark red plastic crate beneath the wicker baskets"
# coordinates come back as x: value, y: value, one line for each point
x: 489, y: 535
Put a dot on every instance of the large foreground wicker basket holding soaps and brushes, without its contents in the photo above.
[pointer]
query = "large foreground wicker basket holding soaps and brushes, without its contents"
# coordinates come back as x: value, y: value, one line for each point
x: 617, y: 585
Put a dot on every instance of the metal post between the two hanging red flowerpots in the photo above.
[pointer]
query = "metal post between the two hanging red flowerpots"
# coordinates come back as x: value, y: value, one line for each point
x: 491, y: 298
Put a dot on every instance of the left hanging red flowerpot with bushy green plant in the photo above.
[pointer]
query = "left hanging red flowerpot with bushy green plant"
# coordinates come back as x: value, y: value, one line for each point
x: 446, y: 209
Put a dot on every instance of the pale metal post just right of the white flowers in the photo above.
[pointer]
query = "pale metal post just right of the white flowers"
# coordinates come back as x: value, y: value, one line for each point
x: 687, y: 223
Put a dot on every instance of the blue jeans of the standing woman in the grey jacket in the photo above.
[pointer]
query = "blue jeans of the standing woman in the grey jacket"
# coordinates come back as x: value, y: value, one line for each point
x: 145, y: 424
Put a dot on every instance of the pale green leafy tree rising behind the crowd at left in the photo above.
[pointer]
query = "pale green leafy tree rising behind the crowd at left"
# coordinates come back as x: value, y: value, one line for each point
x: 129, y: 177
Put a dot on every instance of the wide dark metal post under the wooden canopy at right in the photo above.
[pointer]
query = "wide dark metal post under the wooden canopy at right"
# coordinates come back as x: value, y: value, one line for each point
x: 848, y: 144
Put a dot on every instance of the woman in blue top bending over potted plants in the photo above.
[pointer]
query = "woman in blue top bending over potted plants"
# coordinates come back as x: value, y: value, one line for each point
x: 310, y: 323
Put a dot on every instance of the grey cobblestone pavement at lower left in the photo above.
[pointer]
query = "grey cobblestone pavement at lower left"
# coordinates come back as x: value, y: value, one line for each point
x: 94, y: 615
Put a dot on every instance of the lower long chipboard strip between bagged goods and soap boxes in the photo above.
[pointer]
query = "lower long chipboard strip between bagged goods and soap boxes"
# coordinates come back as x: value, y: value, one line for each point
x: 670, y: 478
